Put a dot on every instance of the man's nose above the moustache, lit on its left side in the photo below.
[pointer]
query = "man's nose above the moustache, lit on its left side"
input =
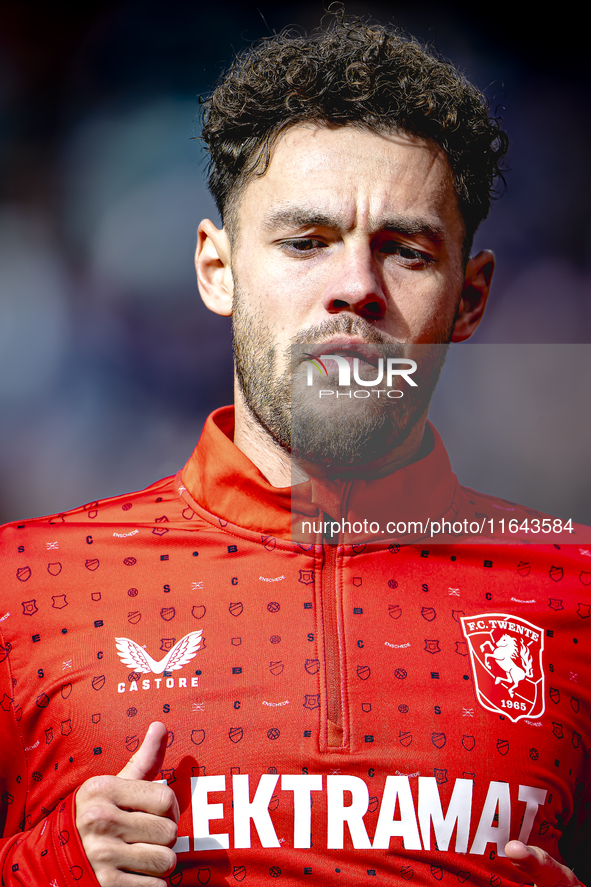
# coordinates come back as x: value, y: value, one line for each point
x: 355, y: 285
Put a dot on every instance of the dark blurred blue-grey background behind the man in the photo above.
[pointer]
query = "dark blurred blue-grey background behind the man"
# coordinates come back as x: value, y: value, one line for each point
x: 109, y: 363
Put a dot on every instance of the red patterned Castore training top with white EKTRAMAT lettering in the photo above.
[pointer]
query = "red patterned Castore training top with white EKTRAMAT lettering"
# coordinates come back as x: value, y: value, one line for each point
x: 334, y: 711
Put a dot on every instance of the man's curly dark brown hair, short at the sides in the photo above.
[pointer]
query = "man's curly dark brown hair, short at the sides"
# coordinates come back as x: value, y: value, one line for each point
x: 350, y: 73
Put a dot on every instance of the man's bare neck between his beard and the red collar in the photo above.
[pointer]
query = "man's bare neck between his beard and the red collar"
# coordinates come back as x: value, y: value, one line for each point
x: 277, y: 466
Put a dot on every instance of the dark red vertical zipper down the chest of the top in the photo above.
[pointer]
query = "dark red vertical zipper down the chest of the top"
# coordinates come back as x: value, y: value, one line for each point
x: 337, y: 728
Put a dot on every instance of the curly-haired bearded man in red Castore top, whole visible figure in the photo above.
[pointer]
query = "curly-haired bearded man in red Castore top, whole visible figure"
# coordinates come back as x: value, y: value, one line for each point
x: 351, y: 169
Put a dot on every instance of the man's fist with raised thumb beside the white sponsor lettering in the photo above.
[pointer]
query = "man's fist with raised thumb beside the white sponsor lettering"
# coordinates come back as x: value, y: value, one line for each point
x: 127, y: 823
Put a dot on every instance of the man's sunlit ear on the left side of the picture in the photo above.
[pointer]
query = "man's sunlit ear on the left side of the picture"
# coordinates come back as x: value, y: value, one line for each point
x: 214, y: 272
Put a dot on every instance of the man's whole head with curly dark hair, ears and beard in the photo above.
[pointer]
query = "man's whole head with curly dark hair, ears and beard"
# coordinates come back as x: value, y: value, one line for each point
x: 353, y: 102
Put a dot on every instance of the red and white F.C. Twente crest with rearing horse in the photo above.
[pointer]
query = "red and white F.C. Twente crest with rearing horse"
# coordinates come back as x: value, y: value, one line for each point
x: 506, y: 656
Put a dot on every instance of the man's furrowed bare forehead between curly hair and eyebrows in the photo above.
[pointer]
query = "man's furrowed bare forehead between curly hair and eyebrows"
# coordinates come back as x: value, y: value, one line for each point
x: 346, y: 175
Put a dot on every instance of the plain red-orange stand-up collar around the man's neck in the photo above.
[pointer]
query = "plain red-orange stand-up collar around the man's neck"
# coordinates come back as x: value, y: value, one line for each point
x: 223, y: 480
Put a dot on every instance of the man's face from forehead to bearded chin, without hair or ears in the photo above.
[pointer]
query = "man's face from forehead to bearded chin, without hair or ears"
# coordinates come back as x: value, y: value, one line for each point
x: 349, y: 237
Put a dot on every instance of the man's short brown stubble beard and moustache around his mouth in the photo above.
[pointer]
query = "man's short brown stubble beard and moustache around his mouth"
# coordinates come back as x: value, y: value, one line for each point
x: 334, y: 434
